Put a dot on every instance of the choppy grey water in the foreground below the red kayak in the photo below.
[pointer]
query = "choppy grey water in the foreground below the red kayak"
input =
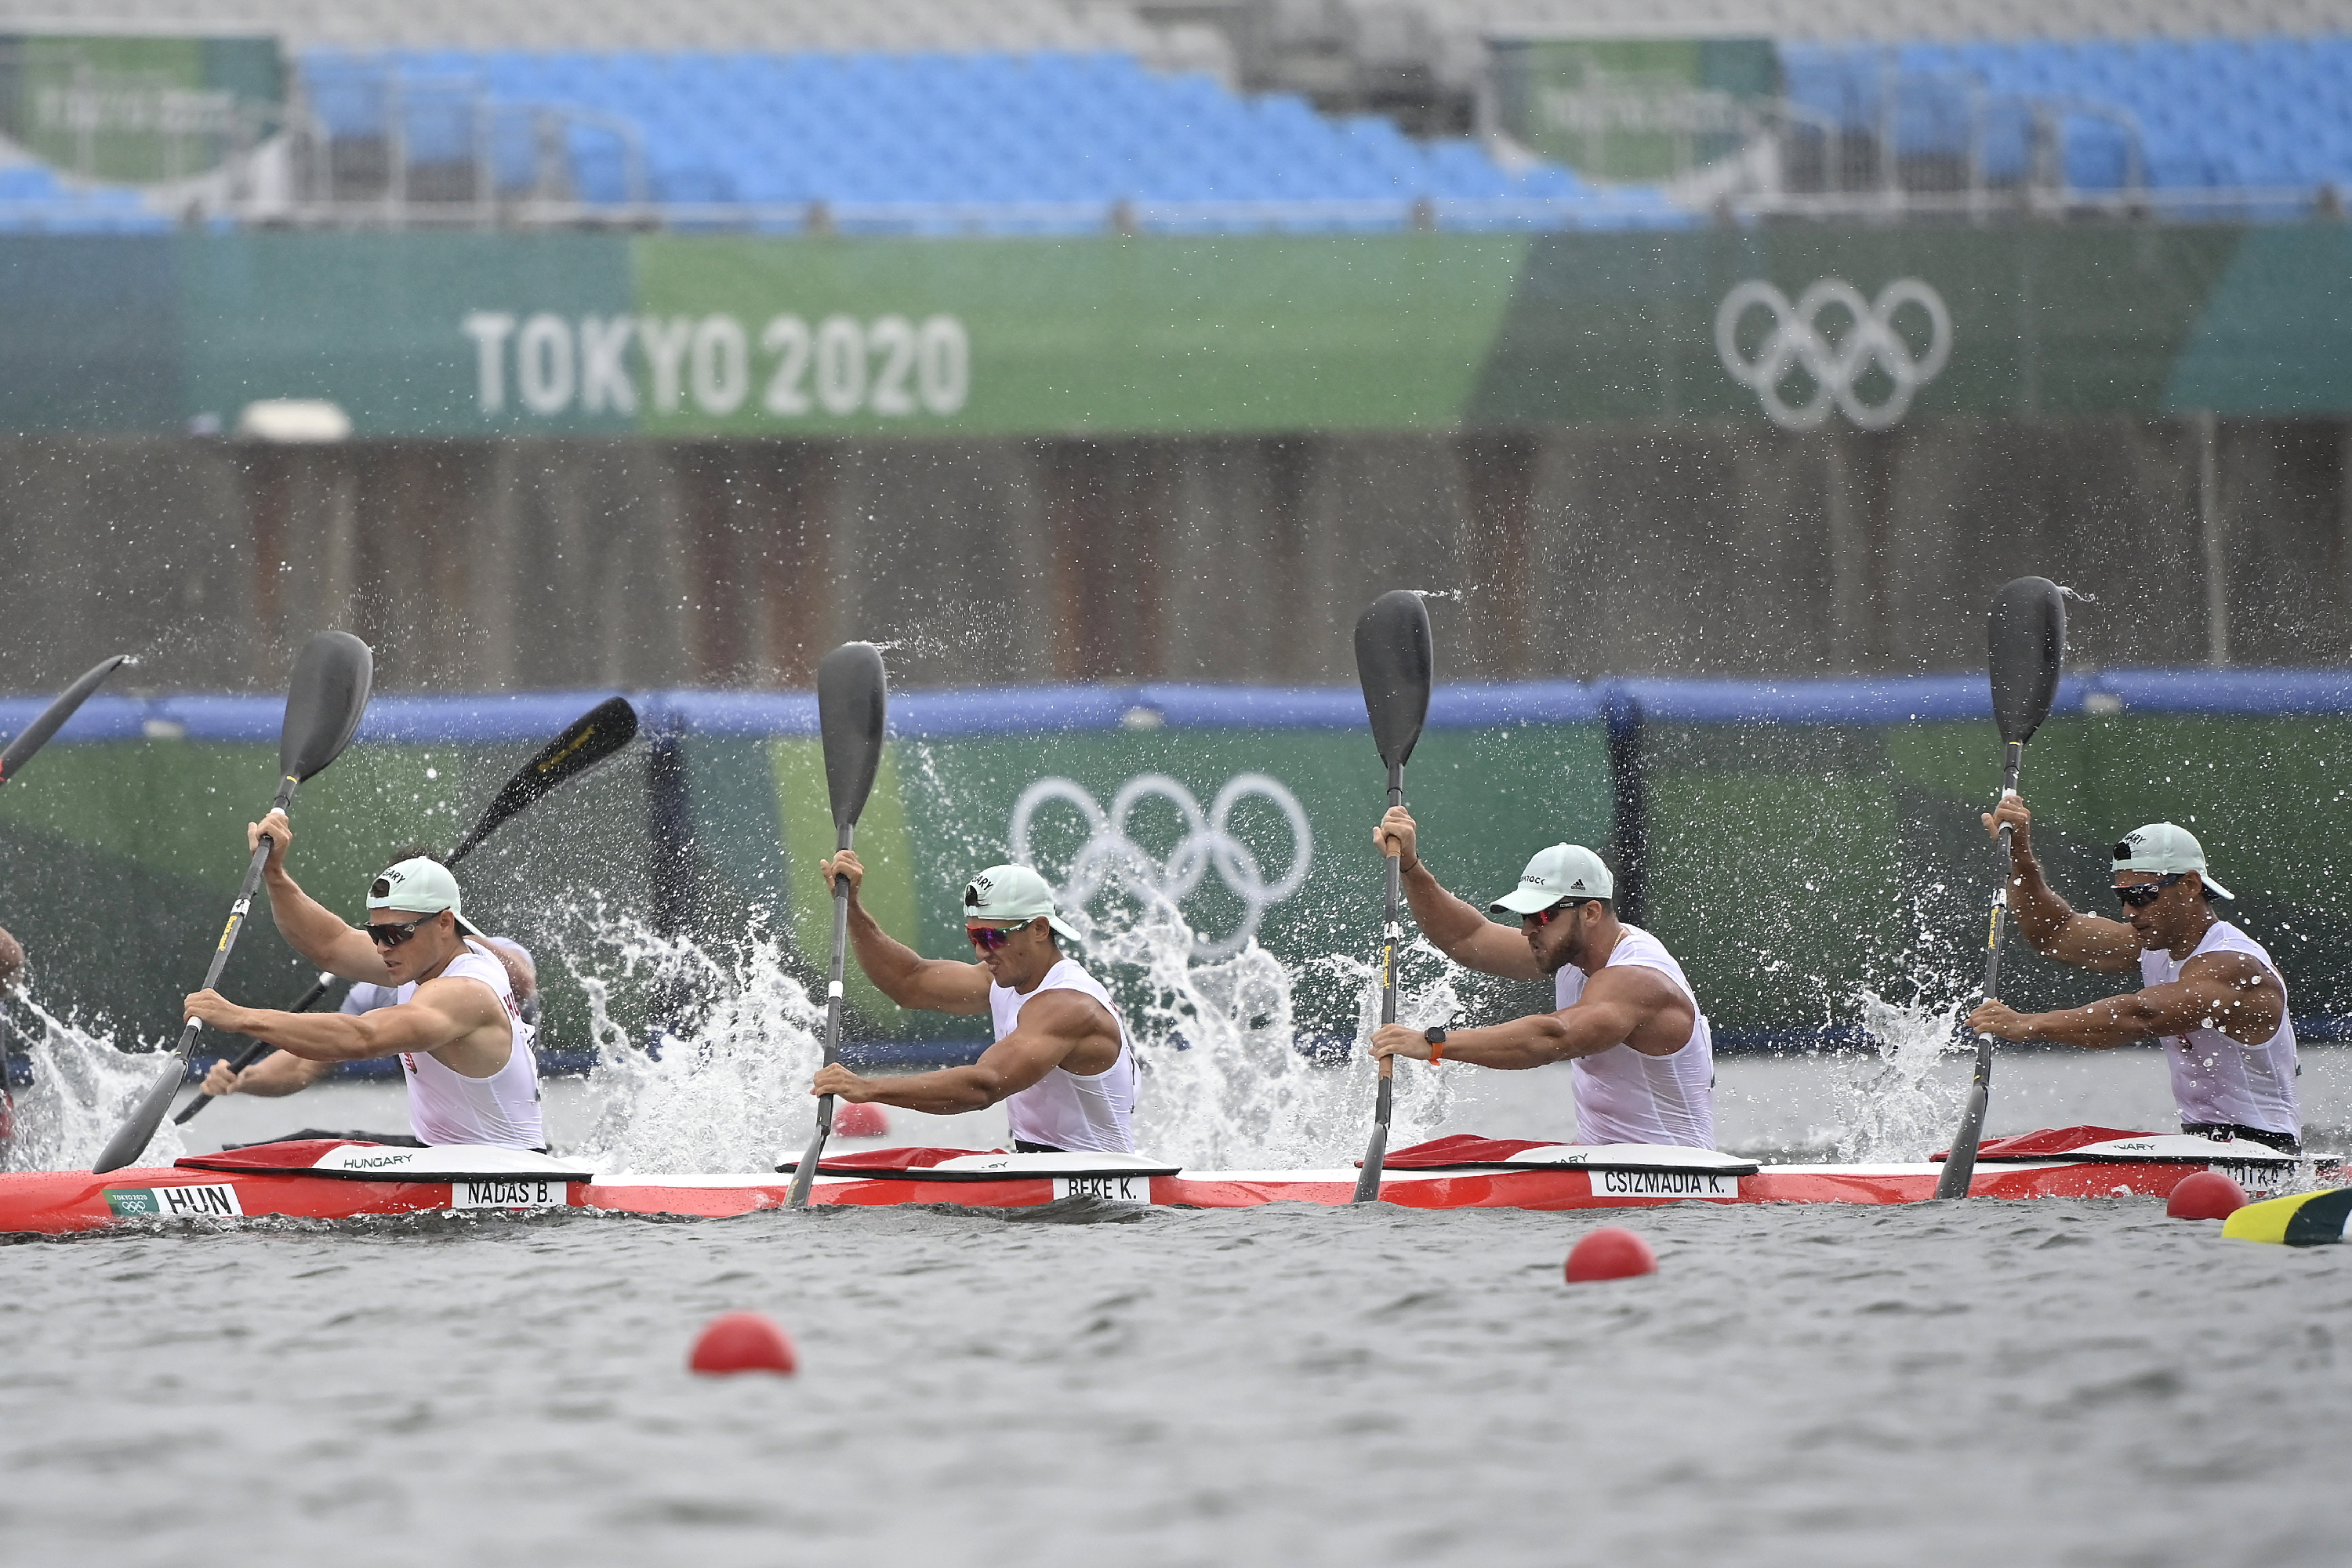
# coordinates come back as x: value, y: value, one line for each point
x: 2029, y: 1383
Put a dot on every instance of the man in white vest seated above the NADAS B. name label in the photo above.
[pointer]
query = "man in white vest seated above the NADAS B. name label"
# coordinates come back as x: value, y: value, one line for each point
x: 457, y: 1028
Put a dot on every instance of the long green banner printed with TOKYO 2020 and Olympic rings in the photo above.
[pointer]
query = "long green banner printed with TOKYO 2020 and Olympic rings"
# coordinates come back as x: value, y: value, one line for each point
x: 1803, y: 328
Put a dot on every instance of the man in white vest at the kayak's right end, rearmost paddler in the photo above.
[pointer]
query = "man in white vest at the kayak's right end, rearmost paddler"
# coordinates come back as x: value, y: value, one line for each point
x: 2207, y: 991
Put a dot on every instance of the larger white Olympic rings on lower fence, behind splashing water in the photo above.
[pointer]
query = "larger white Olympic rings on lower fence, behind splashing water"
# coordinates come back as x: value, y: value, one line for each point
x: 1111, y: 859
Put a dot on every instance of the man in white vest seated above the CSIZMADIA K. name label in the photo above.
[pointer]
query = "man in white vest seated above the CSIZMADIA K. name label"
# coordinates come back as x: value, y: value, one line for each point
x: 1629, y: 1024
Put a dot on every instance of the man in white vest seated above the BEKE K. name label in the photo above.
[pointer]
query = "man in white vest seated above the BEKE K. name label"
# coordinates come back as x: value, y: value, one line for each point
x: 1062, y: 1061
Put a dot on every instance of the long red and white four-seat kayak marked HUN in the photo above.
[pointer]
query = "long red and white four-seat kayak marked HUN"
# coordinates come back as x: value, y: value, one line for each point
x: 345, y: 1181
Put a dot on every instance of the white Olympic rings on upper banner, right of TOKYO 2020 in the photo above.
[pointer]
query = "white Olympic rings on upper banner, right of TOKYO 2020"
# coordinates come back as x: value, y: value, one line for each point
x: 1798, y: 342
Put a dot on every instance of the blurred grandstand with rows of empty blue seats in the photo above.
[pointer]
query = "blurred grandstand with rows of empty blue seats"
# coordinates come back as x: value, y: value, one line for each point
x: 1220, y: 116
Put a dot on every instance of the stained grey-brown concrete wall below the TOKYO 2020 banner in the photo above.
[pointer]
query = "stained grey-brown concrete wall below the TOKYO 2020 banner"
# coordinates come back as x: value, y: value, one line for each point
x: 1579, y: 551
